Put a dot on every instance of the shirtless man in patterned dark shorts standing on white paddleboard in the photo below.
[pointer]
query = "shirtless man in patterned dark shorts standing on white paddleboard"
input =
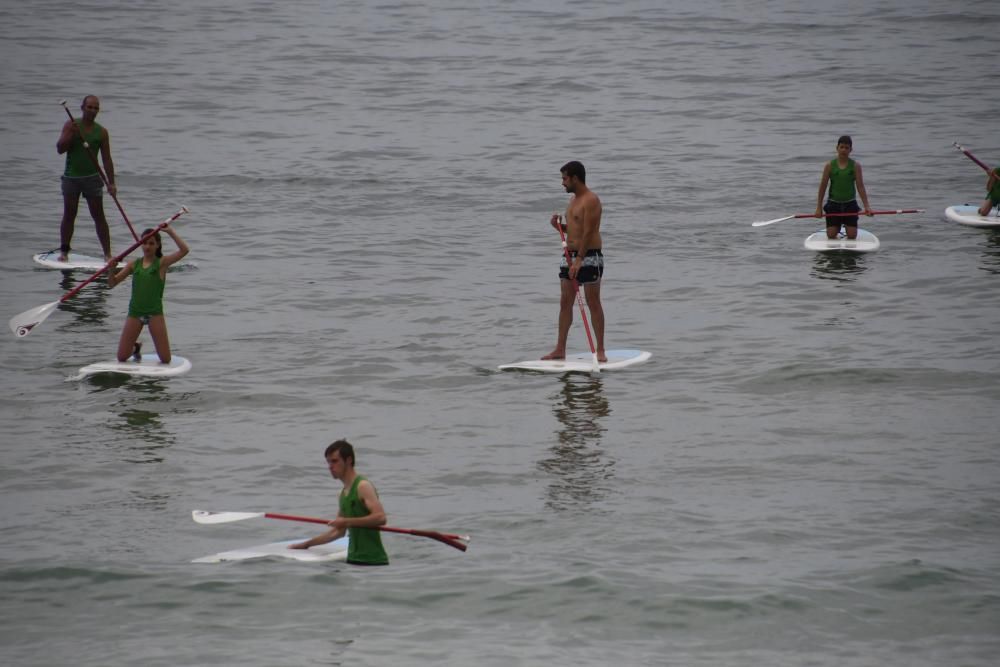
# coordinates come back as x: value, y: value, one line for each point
x: 583, y: 239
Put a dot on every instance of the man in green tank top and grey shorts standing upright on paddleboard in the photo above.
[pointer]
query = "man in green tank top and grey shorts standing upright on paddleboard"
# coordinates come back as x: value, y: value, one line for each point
x: 81, y: 175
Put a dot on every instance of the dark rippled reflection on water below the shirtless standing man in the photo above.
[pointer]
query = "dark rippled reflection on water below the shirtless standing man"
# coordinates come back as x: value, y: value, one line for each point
x: 581, y: 472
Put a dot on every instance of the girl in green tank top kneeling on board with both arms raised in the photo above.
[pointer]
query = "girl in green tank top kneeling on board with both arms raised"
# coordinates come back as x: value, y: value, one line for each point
x: 149, y: 275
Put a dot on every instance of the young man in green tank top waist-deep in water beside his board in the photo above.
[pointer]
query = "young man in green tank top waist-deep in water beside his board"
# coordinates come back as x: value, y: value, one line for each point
x: 359, y: 514
